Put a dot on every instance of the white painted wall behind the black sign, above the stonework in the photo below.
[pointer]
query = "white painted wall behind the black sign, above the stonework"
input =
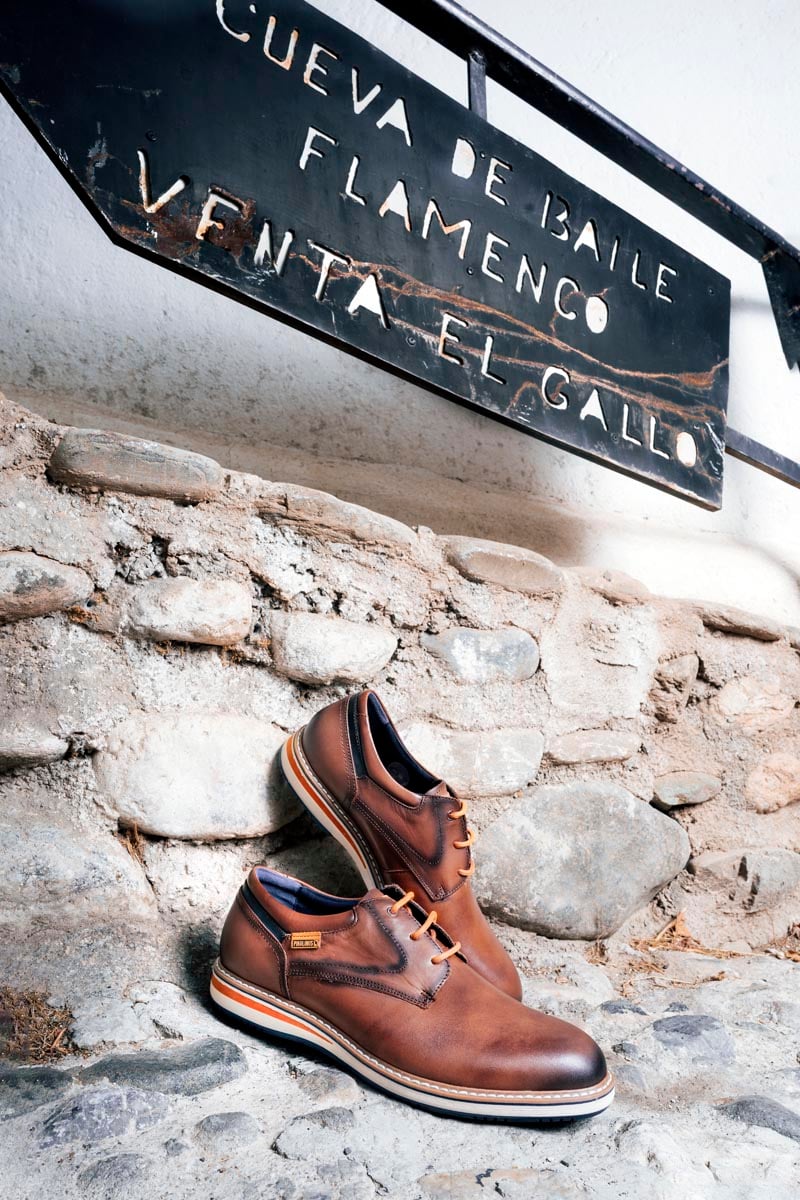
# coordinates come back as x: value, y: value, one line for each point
x: 94, y: 335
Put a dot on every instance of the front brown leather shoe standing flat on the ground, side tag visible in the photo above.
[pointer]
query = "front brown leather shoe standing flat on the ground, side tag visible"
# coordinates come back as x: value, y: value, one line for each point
x: 383, y: 991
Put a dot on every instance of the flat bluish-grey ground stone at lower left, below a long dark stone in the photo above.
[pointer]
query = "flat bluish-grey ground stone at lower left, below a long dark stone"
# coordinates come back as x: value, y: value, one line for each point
x: 101, y: 1113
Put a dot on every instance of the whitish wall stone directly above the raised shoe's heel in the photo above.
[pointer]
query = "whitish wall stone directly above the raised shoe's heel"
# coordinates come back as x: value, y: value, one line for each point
x: 318, y: 650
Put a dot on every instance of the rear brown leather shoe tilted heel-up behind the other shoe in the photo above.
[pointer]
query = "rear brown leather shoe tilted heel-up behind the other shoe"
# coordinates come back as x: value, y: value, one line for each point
x: 399, y: 823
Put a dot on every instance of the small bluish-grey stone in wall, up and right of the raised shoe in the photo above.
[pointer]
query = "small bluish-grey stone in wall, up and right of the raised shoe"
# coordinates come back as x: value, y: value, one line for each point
x: 479, y: 657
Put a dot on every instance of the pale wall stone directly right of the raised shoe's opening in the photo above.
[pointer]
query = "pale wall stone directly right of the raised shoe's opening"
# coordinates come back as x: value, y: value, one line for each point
x: 494, y: 763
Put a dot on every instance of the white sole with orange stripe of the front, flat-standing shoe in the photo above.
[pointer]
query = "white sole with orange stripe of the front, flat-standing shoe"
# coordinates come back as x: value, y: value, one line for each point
x: 286, y: 1019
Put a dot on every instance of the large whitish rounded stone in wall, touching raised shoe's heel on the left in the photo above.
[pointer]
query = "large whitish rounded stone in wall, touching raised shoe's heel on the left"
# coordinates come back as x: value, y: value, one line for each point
x: 203, y: 776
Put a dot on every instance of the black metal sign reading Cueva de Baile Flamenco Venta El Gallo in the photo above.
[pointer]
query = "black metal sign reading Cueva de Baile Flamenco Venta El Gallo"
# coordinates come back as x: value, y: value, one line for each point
x: 268, y: 151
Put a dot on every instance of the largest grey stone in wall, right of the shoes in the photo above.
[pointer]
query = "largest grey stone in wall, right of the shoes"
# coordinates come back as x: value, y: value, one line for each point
x: 576, y: 860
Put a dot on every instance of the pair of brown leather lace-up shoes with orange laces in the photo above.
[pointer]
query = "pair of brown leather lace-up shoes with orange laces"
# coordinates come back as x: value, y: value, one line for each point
x: 377, y: 982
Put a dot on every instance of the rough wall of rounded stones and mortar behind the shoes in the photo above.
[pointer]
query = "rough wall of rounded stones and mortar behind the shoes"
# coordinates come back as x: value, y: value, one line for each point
x: 165, y: 625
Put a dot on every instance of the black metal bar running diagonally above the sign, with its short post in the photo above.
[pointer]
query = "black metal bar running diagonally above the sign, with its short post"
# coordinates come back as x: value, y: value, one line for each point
x: 462, y: 33
